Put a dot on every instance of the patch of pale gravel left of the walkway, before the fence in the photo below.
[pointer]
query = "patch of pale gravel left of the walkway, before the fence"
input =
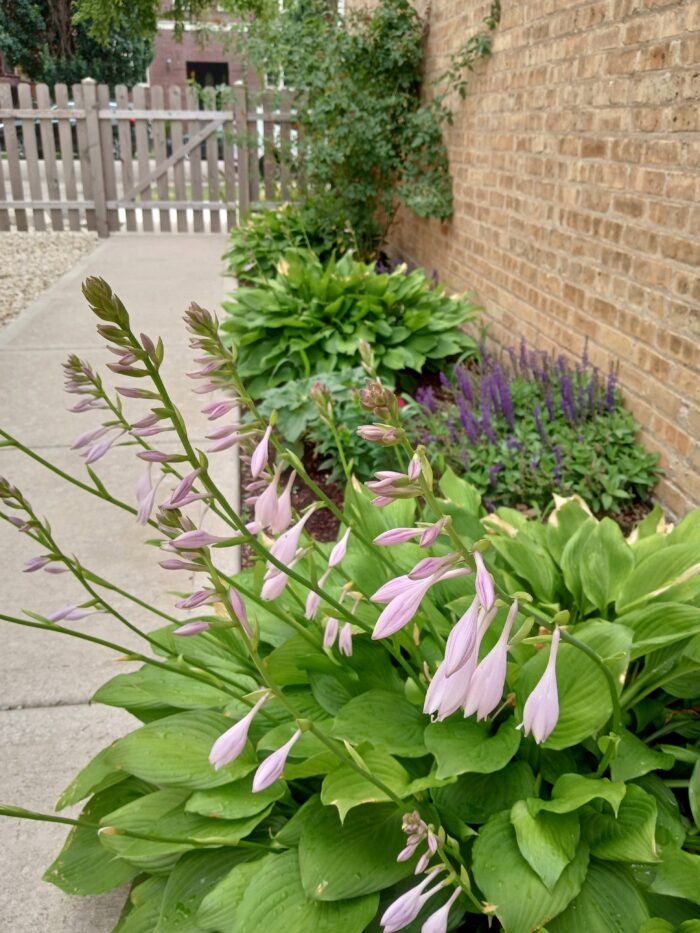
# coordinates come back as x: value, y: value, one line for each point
x: 30, y: 262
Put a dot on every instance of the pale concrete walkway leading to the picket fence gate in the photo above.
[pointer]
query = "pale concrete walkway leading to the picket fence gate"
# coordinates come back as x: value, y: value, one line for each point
x: 47, y: 729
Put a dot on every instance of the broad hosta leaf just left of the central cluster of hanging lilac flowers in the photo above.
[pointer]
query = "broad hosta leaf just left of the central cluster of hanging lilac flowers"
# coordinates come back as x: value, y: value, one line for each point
x: 386, y: 720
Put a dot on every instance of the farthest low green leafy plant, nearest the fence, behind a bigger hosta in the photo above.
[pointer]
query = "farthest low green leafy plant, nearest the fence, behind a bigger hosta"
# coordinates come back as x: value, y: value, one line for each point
x: 258, y: 245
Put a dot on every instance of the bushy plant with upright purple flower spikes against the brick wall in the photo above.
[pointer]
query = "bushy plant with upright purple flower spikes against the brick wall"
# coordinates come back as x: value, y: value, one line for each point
x: 536, y: 426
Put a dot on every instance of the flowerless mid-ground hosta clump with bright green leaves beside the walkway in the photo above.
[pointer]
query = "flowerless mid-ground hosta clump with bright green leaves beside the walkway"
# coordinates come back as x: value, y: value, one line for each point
x: 311, y: 317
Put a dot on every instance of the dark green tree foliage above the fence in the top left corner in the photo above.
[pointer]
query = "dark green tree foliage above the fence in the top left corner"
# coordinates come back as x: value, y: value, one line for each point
x: 45, y: 40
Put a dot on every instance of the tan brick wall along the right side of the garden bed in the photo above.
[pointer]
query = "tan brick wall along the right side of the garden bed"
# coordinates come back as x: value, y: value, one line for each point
x: 576, y: 163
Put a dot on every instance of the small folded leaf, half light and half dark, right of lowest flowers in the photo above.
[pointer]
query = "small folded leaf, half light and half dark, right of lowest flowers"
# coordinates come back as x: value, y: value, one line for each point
x: 547, y: 841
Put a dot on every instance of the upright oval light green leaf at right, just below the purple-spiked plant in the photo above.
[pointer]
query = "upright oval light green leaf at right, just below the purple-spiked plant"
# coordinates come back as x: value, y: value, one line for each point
x: 606, y: 563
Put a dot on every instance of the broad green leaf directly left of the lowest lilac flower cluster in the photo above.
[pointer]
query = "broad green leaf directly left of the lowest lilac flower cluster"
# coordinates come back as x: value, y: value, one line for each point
x: 353, y: 858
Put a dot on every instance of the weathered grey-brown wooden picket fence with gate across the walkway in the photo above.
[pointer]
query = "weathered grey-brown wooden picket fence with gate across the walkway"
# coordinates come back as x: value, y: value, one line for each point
x: 196, y: 162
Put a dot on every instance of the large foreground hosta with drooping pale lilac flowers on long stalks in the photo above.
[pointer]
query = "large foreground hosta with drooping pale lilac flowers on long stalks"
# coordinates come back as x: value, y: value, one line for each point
x: 442, y: 721
